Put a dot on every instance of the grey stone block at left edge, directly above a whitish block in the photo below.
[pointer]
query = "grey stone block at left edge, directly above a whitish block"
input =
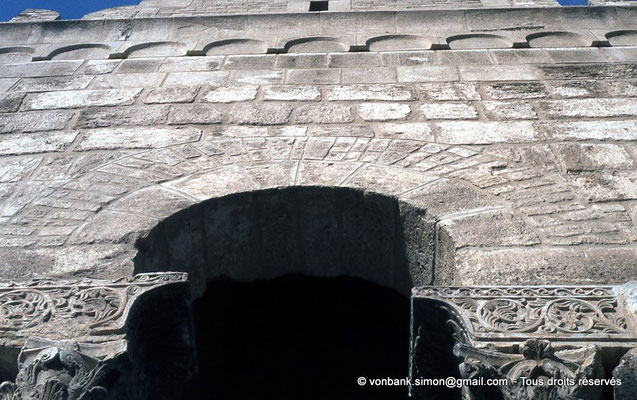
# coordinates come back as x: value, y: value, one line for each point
x: 34, y: 121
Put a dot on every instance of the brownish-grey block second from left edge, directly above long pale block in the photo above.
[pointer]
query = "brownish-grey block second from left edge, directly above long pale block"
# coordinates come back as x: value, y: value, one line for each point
x: 99, y: 117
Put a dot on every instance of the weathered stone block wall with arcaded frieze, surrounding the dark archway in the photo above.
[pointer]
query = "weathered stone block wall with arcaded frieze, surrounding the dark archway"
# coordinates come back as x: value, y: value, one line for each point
x: 513, y: 130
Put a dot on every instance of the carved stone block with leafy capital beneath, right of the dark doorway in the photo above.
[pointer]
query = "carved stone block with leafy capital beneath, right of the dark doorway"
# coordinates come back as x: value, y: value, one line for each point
x: 539, y: 342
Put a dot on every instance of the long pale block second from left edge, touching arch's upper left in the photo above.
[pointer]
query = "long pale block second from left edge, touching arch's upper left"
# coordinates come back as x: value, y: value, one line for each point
x: 136, y: 138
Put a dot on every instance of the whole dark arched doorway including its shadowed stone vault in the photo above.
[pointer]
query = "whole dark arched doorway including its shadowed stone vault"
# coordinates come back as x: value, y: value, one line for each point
x: 298, y: 291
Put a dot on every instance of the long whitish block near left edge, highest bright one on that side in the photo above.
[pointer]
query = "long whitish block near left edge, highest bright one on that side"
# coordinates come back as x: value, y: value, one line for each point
x: 80, y: 98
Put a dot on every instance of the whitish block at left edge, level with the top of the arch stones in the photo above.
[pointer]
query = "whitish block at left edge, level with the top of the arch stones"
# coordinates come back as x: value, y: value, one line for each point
x: 31, y: 143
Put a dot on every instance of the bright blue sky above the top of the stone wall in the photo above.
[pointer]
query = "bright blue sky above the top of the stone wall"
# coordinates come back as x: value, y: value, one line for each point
x: 73, y: 9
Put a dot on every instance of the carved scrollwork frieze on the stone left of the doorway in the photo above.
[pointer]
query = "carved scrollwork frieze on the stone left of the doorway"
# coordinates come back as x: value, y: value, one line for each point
x: 73, y: 308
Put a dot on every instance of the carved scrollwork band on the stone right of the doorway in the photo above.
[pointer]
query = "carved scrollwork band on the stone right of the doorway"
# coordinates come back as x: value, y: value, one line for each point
x: 520, y: 313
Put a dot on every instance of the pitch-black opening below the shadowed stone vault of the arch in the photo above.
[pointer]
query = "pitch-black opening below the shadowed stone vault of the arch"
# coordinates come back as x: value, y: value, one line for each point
x: 296, y: 337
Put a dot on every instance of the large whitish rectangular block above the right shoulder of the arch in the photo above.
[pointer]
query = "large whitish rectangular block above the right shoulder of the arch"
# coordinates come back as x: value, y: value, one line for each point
x: 486, y: 132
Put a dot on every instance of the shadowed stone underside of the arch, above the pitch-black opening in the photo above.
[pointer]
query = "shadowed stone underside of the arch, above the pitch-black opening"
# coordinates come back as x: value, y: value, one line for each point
x: 310, y: 231
